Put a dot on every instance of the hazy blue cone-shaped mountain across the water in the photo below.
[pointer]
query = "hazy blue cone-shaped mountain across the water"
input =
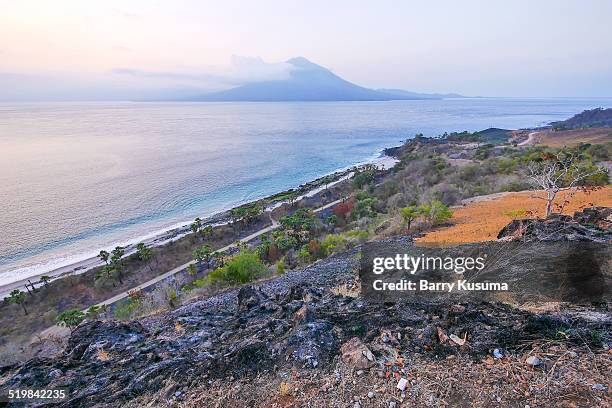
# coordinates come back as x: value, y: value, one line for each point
x: 307, y: 82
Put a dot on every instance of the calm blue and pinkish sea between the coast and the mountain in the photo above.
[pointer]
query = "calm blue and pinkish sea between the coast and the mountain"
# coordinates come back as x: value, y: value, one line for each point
x: 79, y: 177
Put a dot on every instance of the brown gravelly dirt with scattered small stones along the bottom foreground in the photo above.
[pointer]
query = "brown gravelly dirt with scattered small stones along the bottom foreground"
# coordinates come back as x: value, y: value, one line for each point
x: 568, y: 377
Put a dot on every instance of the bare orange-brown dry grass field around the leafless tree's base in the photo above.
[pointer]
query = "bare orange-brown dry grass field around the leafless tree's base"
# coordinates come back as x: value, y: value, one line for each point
x: 482, y: 221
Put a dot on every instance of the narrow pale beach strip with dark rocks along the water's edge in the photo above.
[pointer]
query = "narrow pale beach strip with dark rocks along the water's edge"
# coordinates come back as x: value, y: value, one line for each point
x: 381, y: 159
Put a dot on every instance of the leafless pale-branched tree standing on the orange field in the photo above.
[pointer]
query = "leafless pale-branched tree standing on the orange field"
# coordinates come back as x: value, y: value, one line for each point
x: 558, y: 173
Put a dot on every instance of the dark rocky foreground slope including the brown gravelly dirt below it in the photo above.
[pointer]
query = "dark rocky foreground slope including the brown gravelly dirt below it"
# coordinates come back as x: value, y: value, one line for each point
x: 309, y: 337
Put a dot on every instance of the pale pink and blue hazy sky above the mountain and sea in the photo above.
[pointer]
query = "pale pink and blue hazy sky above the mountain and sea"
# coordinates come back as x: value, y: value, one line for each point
x: 120, y: 49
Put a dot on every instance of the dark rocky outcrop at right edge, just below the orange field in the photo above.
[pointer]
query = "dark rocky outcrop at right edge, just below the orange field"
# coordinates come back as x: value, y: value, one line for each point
x: 592, y: 224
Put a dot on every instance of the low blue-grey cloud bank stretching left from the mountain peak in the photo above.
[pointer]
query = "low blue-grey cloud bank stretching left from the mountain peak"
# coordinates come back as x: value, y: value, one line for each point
x: 138, y: 84
